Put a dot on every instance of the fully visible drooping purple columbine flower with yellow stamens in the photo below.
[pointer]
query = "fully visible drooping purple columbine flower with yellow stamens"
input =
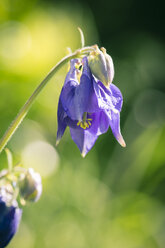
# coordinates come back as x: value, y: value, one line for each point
x: 88, y: 107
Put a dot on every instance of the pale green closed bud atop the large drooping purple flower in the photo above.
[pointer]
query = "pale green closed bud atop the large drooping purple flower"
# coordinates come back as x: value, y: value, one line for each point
x: 101, y: 65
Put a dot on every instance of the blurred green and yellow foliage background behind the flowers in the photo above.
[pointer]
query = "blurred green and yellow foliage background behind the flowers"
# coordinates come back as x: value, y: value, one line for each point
x: 114, y: 197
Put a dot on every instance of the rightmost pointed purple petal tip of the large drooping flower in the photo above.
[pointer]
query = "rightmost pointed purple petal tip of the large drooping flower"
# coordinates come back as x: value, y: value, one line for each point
x: 114, y: 122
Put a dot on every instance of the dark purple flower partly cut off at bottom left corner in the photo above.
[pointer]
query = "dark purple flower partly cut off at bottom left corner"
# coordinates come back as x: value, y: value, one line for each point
x: 10, y: 217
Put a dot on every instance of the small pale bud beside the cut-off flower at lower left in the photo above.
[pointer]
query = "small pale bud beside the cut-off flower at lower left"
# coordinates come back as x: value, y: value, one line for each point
x: 31, y: 186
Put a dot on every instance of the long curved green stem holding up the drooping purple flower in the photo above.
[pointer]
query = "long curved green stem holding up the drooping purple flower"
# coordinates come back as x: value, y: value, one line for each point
x: 24, y: 110
